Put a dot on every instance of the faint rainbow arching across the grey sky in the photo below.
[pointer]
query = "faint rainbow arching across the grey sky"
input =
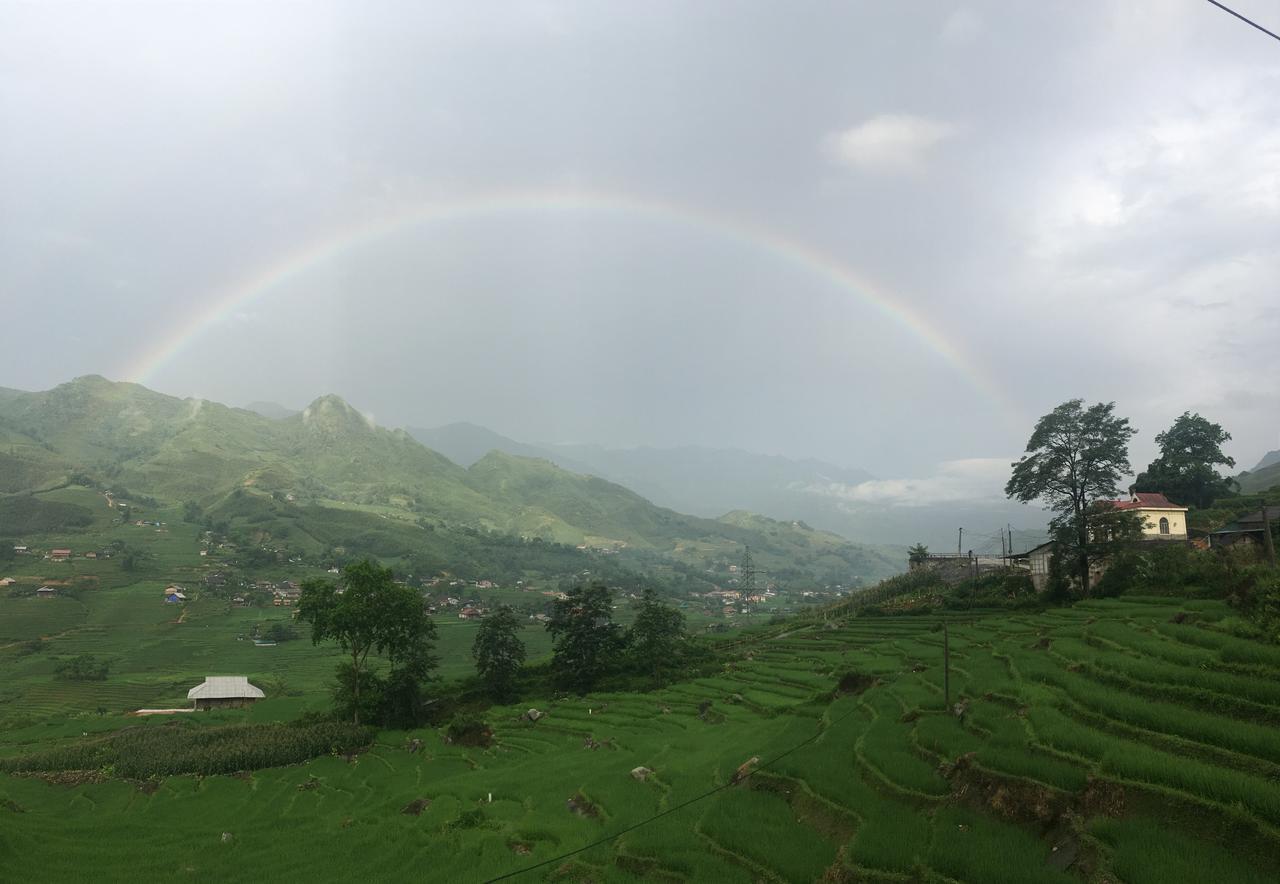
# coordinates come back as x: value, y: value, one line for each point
x: 771, y: 242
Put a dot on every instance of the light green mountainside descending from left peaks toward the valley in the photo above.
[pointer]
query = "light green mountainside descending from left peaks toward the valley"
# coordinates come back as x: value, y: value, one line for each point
x: 327, y: 479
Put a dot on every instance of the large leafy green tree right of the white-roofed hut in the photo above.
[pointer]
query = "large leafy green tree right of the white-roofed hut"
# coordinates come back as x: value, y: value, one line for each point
x: 368, y: 612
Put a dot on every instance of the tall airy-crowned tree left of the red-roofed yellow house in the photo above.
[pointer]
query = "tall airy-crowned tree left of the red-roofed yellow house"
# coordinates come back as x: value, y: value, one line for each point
x: 1075, y: 460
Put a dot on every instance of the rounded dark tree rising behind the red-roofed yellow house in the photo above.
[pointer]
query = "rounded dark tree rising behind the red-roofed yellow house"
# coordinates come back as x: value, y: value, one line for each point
x: 1185, y: 470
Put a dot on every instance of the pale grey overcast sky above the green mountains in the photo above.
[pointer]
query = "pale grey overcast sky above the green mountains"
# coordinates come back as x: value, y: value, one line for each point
x: 1078, y: 199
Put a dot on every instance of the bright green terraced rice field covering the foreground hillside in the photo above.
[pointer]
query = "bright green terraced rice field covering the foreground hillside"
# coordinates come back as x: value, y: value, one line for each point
x: 1100, y: 741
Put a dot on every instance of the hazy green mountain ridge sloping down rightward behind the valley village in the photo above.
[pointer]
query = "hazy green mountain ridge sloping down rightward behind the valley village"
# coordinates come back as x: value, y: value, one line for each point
x: 300, y: 473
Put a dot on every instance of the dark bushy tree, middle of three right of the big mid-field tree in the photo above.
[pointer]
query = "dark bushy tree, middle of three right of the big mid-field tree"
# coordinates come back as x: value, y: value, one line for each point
x: 586, y: 640
